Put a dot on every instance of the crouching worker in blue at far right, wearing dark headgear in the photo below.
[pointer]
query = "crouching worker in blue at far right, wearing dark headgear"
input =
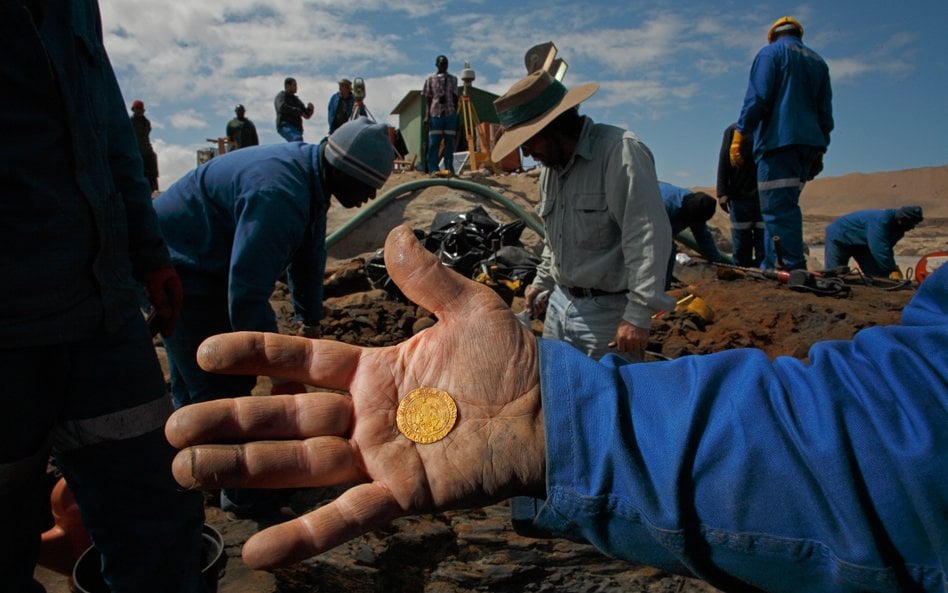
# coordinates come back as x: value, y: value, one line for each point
x: 868, y: 236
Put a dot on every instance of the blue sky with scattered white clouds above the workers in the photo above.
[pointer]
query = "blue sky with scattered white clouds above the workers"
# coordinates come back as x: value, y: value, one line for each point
x: 674, y: 73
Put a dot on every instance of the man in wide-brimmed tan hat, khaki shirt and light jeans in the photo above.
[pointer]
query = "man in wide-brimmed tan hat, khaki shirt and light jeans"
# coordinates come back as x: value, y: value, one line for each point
x: 607, y: 236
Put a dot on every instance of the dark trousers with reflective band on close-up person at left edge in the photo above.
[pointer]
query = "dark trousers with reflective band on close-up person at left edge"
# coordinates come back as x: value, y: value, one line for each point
x: 99, y: 406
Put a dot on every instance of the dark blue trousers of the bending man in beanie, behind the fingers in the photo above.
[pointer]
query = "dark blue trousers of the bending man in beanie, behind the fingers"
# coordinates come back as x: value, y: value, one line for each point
x: 203, y: 316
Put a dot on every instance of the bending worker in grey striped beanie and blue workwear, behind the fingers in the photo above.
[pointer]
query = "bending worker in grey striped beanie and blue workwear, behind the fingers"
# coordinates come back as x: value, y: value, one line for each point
x: 234, y: 224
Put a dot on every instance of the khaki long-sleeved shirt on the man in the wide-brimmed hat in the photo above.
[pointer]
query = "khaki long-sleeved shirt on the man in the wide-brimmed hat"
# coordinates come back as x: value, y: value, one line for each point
x: 605, y: 222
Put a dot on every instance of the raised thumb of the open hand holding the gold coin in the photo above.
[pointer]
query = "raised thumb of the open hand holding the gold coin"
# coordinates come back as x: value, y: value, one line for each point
x: 426, y: 281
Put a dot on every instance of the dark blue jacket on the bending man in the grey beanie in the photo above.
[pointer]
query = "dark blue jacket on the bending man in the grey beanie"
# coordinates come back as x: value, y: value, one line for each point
x: 235, y: 223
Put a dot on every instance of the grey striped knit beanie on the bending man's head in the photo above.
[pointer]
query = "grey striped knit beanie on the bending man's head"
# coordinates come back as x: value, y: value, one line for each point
x: 361, y: 149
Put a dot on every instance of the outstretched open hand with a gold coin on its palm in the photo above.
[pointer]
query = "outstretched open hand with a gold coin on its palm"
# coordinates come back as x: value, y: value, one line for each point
x: 477, y: 352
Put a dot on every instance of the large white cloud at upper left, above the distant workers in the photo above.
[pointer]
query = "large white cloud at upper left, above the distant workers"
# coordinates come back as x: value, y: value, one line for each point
x: 185, y: 50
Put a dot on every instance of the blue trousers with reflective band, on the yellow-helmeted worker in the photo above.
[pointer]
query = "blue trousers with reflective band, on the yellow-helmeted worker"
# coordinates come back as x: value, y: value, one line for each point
x: 781, y: 174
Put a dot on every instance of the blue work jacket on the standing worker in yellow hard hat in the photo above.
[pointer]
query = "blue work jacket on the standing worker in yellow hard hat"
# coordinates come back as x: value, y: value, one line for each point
x: 788, y: 99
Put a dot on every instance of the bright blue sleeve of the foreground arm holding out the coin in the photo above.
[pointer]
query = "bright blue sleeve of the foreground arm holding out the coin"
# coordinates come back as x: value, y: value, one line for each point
x: 782, y: 475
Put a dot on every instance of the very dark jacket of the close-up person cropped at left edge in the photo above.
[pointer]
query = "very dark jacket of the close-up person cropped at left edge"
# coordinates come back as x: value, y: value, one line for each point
x: 76, y: 220
